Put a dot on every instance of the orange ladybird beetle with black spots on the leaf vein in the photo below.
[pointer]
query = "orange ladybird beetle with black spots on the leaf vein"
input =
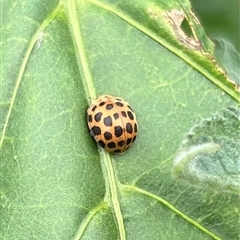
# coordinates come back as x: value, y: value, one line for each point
x: 112, y: 123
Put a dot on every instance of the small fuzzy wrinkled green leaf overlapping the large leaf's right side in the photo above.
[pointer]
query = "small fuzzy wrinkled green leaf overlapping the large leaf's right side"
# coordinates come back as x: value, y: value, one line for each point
x: 209, y: 155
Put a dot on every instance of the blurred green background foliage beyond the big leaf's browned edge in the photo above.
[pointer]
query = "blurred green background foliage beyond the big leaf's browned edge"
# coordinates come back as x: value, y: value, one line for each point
x: 221, y: 22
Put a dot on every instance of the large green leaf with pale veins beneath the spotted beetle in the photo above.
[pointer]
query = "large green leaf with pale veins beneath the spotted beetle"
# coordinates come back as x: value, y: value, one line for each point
x: 57, y: 57
